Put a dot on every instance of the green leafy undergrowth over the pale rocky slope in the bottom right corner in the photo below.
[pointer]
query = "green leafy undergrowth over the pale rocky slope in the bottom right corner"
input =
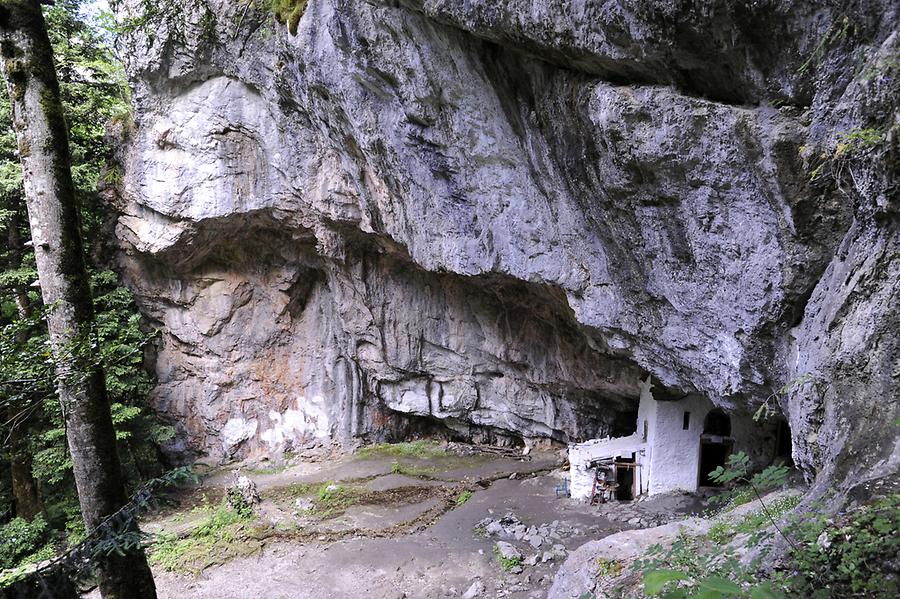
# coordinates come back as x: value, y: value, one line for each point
x: 853, y: 555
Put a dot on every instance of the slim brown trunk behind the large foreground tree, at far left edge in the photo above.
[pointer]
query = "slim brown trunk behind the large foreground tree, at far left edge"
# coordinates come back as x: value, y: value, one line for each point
x: 25, y: 492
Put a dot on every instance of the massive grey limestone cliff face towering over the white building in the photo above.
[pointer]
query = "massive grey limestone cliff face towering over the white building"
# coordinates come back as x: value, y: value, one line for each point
x: 501, y: 215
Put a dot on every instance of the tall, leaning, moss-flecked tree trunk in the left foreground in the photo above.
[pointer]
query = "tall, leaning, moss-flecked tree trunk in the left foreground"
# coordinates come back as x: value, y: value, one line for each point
x: 53, y: 215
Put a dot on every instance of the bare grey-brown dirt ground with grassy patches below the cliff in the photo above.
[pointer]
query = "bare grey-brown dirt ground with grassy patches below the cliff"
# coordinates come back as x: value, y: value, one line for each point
x: 401, y: 533
